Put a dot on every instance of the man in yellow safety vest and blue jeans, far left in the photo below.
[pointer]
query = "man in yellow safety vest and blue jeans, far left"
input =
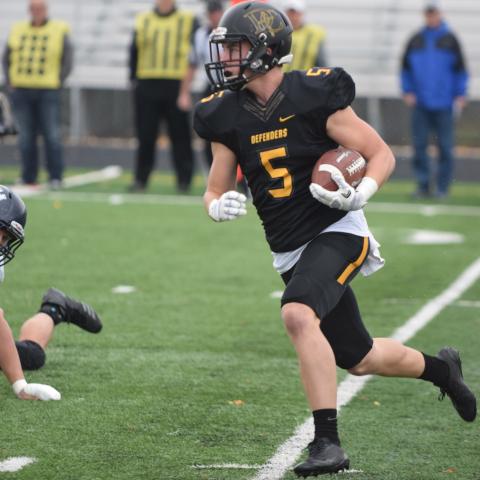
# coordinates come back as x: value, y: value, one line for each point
x: 36, y: 61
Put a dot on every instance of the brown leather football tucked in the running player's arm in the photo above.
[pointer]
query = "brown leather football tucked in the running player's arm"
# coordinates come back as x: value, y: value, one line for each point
x: 349, y: 162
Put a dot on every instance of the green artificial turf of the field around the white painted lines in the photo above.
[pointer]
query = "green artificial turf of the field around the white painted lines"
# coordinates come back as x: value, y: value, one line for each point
x: 195, y: 368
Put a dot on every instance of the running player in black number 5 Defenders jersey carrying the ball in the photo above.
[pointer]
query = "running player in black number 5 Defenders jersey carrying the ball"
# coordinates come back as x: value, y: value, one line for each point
x: 275, y: 126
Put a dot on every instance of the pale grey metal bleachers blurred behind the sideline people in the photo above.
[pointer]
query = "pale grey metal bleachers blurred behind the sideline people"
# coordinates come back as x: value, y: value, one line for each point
x: 365, y: 37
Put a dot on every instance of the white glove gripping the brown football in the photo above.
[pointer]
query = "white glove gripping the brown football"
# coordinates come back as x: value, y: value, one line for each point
x: 346, y: 197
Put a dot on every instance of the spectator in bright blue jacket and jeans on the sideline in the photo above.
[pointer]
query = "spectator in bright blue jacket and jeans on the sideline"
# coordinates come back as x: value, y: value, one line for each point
x: 434, y: 84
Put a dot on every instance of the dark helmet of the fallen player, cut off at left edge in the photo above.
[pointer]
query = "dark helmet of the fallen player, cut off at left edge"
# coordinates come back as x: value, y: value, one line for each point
x: 13, y: 217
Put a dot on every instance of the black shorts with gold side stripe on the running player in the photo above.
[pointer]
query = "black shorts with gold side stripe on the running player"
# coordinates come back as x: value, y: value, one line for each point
x: 320, y: 279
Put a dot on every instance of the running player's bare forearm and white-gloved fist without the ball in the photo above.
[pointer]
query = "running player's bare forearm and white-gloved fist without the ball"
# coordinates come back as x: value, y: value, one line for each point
x: 221, y: 200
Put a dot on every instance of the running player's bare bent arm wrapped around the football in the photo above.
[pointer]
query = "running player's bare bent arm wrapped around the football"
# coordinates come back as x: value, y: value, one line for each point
x: 350, y: 131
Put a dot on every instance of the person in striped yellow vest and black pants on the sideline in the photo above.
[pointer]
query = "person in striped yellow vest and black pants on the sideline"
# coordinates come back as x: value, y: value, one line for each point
x: 157, y: 66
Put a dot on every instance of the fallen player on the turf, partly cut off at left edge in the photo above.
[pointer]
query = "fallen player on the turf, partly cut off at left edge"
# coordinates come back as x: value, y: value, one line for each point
x: 28, y: 353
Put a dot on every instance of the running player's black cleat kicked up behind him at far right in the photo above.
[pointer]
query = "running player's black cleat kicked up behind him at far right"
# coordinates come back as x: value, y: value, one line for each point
x: 461, y: 396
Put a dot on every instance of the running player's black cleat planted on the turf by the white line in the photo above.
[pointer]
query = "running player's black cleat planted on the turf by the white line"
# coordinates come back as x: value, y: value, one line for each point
x: 324, y: 457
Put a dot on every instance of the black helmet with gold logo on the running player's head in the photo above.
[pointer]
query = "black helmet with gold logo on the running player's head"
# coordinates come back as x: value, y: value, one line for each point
x: 269, y: 33
